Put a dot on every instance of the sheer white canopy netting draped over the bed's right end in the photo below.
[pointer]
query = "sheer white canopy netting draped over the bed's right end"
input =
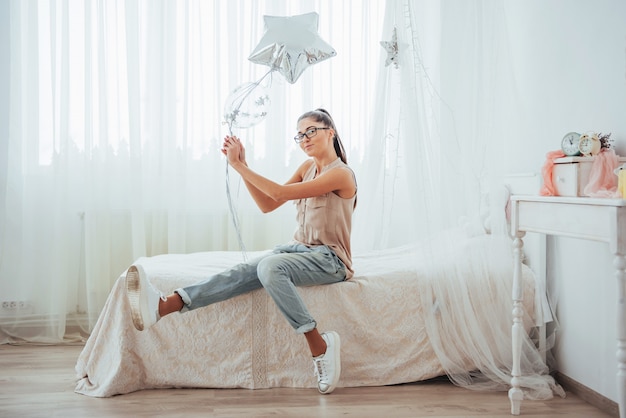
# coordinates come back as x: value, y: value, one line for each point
x: 441, y: 125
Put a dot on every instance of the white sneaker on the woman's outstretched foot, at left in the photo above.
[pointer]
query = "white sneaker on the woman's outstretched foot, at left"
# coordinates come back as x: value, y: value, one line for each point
x: 143, y: 298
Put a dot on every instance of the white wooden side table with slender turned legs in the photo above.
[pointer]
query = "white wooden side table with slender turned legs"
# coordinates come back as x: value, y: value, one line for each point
x: 578, y: 217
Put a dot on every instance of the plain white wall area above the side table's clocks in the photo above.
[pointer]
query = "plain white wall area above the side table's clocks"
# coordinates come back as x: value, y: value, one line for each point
x: 570, y: 69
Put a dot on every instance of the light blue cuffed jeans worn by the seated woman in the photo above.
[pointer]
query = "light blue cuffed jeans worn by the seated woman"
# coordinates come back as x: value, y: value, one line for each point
x: 279, y: 272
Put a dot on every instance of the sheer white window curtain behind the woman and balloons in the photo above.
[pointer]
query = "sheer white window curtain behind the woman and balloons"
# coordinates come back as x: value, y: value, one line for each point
x: 111, y: 130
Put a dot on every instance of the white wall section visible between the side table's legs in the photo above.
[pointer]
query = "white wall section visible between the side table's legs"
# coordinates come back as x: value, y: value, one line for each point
x: 581, y: 279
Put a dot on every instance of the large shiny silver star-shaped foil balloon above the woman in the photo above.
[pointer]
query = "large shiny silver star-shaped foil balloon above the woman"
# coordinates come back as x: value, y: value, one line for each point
x: 291, y: 44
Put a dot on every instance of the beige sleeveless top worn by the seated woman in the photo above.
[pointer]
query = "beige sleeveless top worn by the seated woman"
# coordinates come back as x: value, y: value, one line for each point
x: 327, y: 219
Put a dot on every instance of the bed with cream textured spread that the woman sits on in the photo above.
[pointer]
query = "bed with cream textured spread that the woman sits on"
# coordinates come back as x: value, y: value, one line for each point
x: 399, y: 319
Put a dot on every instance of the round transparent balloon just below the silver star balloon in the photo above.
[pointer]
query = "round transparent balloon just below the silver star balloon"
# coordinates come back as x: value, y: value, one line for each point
x: 247, y: 105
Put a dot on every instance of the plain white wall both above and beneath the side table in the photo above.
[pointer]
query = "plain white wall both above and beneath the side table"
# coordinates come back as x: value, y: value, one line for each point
x: 570, y: 69
